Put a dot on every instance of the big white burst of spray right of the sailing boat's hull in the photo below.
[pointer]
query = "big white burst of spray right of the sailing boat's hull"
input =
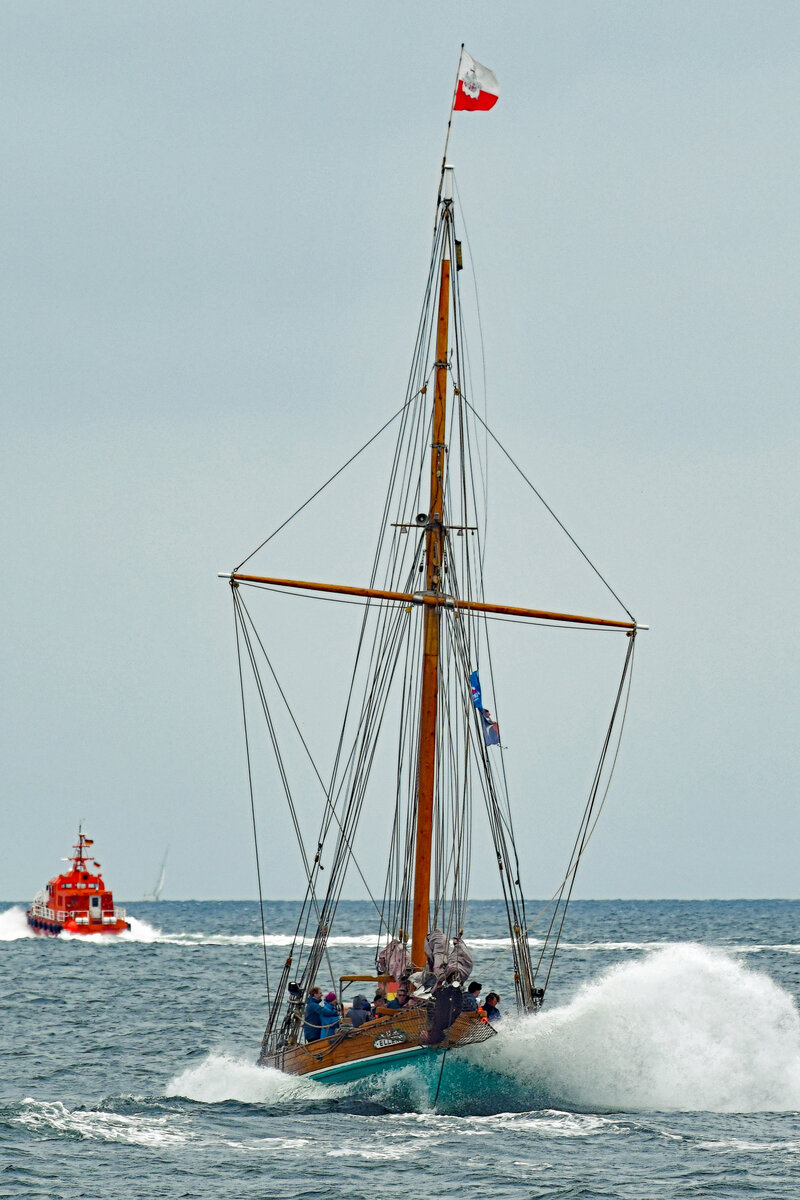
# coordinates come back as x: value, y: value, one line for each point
x: 685, y: 1029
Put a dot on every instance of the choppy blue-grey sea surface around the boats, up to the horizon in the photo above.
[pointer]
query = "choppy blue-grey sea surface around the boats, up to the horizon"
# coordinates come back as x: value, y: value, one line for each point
x: 665, y: 1064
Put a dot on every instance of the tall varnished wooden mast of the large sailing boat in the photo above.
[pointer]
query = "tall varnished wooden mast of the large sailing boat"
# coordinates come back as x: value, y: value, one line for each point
x: 435, y: 544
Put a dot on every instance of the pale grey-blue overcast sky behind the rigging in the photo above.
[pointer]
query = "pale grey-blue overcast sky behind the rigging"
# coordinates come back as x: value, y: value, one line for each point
x: 216, y: 220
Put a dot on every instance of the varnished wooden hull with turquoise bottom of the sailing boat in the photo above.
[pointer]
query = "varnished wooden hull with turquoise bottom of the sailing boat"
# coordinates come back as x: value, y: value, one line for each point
x: 376, y: 1047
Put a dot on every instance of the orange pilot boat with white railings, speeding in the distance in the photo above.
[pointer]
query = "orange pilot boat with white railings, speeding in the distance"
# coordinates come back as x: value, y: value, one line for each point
x: 77, y: 902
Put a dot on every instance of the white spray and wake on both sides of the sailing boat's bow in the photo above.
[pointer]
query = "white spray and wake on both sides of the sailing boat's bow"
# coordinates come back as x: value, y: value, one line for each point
x: 685, y: 1029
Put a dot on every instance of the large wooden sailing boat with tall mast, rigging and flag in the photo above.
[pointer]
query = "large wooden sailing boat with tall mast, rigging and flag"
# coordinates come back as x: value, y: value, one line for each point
x: 414, y: 699
